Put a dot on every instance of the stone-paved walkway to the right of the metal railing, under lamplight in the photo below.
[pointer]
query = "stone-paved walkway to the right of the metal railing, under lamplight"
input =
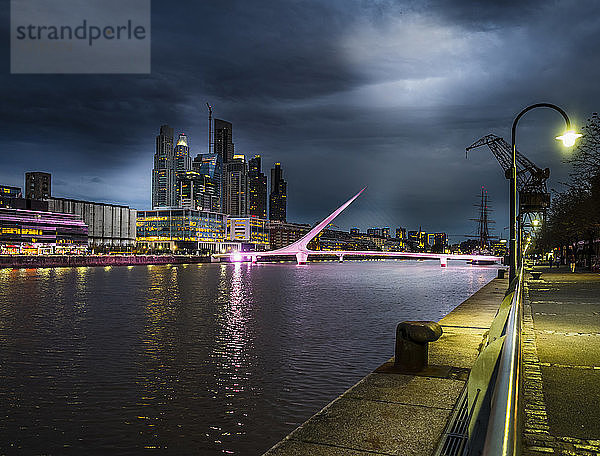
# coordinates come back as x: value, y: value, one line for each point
x: 562, y: 363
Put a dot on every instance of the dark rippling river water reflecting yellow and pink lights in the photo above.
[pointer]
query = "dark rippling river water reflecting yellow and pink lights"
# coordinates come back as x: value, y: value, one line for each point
x: 202, y: 359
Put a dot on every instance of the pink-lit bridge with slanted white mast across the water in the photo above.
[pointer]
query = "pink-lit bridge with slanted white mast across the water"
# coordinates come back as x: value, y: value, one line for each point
x: 300, y: 250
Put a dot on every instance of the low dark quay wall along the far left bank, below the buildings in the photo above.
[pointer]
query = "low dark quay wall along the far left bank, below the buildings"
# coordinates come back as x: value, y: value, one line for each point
x: 60, y: 261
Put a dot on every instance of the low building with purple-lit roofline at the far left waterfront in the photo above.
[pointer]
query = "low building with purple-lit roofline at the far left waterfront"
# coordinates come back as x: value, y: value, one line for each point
x: 25, y: 231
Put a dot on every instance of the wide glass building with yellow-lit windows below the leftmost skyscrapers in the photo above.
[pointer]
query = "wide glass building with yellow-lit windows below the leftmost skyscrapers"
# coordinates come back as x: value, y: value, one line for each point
x: 187, y: 230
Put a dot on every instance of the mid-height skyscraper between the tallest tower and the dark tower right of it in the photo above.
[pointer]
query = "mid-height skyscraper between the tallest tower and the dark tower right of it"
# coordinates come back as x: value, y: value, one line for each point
x: 235, y: 187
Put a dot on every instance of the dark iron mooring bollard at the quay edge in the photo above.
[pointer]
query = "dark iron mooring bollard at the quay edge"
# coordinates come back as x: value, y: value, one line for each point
x: 412, y: 344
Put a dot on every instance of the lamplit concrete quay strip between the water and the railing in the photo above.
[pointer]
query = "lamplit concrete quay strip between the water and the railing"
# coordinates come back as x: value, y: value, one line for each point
x: 389, y: 413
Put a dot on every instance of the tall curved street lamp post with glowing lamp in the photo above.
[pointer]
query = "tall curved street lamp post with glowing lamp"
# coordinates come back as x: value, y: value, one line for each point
x: 568, y: 139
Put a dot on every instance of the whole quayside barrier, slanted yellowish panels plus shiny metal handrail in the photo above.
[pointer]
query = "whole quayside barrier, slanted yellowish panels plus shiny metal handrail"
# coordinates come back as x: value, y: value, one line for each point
x: 488, y: 422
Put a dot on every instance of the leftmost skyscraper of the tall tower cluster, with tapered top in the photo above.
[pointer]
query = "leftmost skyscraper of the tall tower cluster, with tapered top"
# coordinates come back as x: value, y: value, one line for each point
x: 164, y: 185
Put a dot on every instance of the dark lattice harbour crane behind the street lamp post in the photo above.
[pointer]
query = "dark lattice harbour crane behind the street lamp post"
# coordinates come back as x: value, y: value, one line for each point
x: 534, y: 198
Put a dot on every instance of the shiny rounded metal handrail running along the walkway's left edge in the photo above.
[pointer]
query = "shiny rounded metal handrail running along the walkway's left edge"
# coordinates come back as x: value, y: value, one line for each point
x: 503, y: 429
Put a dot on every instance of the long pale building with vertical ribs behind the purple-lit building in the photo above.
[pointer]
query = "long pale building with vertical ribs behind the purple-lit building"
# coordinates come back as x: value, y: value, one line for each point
x: 110, y: 225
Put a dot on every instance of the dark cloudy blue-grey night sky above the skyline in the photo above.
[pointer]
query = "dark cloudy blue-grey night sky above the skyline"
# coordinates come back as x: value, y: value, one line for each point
x: 345, y: 94
